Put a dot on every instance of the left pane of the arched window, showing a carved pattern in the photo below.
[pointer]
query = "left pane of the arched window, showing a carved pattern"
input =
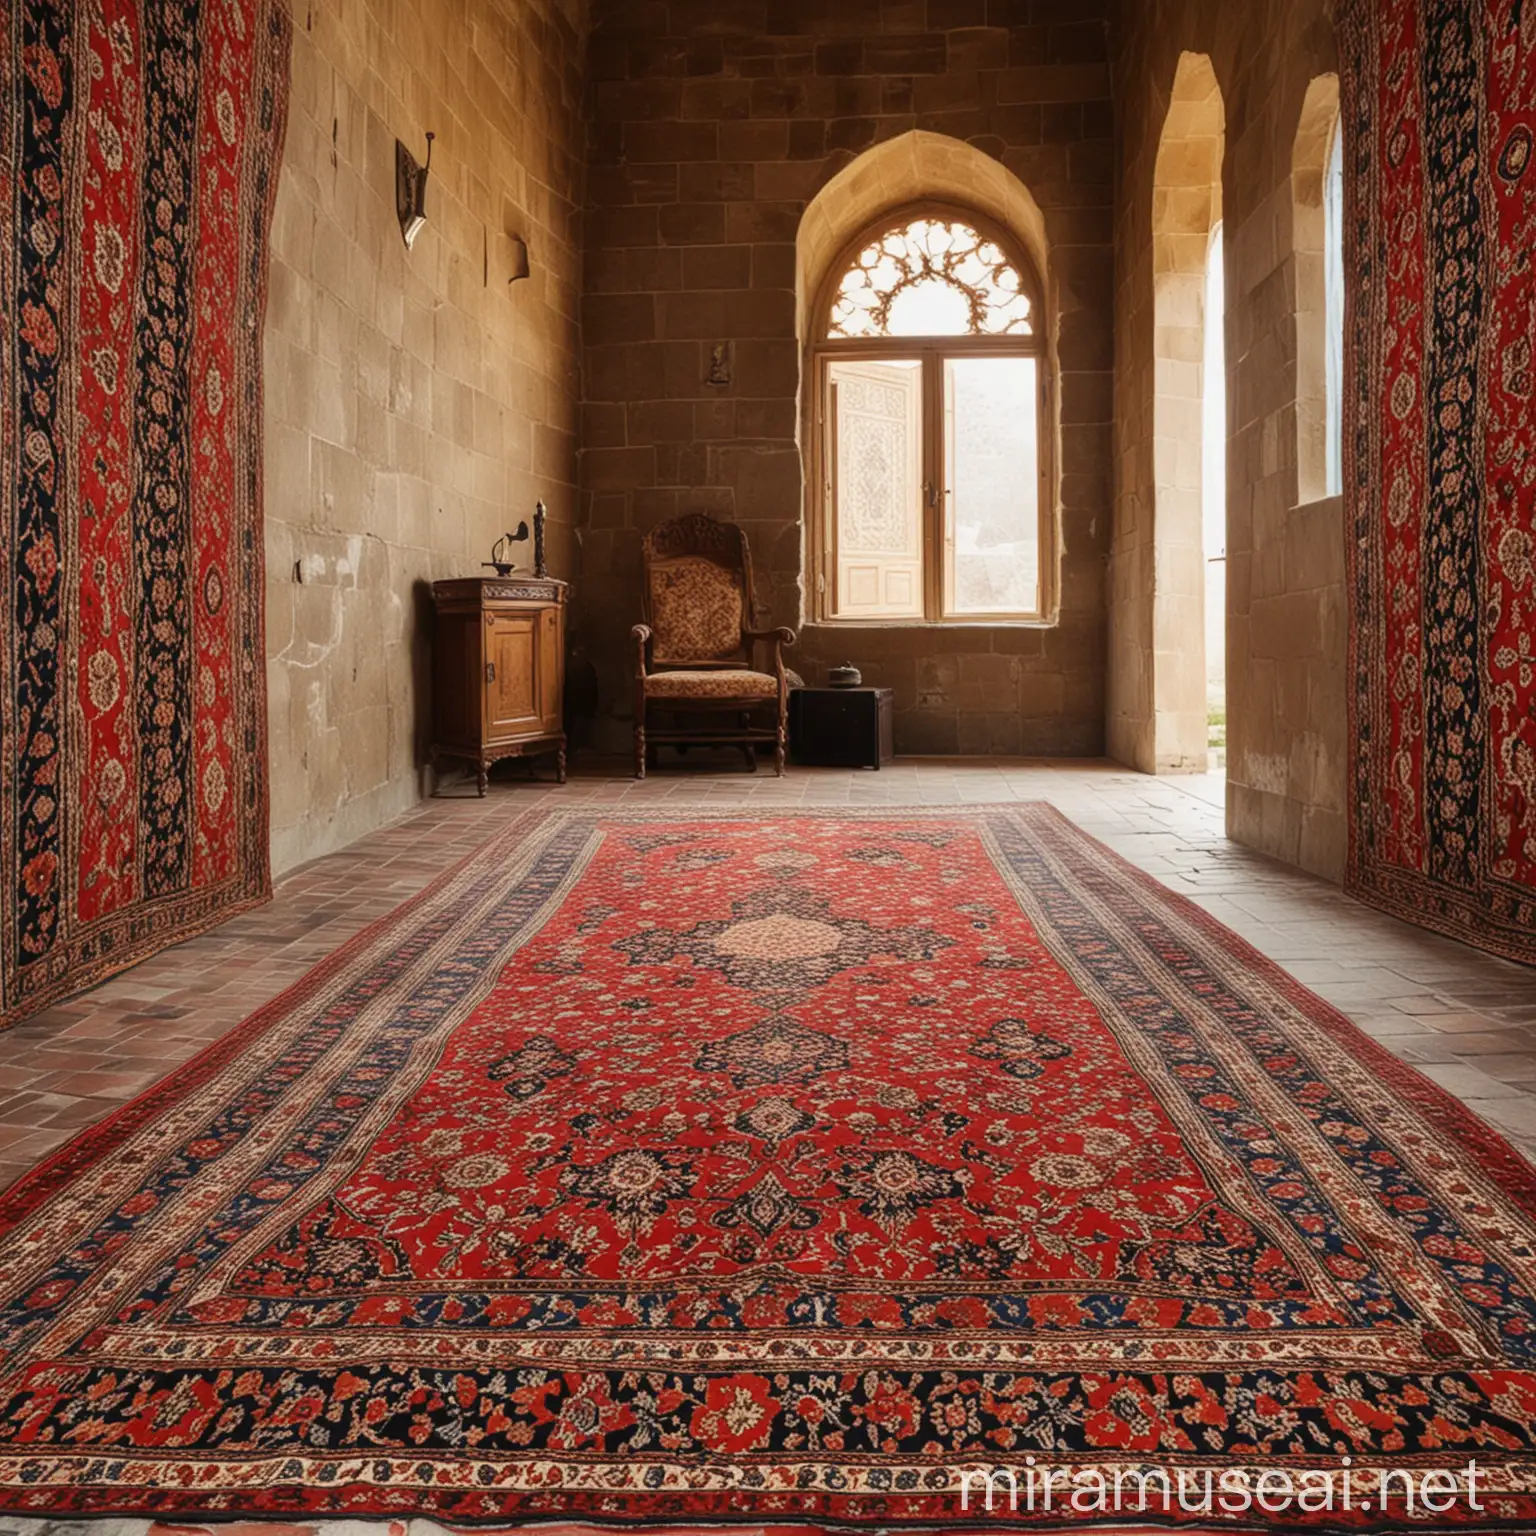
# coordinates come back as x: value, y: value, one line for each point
x: 876, y: 411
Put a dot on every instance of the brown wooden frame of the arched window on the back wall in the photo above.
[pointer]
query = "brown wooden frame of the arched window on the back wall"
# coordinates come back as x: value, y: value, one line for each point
x: 932, y: 353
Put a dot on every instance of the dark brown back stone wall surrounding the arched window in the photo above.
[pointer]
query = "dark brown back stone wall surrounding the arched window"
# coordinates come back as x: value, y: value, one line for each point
x: 713, y: 127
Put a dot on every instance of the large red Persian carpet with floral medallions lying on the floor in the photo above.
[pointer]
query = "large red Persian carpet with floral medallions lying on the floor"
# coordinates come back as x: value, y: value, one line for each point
x: 772, y: 1170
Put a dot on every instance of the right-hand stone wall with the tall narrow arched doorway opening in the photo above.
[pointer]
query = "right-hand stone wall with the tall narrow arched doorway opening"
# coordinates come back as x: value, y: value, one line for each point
x: 1286, y: 620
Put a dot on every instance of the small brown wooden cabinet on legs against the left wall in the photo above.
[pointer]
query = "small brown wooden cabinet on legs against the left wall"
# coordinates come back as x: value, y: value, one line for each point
x: 498, y: 670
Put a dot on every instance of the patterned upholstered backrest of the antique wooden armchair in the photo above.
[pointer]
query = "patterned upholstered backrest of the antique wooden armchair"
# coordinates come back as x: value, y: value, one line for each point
x: 698, y: 592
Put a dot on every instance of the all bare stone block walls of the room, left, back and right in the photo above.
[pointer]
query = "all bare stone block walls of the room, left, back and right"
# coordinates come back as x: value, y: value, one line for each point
x: 417, y: 405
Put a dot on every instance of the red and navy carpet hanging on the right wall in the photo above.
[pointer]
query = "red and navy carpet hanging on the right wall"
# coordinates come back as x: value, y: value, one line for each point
x: 1440, y: 105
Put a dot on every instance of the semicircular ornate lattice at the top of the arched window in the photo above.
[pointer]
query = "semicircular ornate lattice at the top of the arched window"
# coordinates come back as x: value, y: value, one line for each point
x: 932, y: 277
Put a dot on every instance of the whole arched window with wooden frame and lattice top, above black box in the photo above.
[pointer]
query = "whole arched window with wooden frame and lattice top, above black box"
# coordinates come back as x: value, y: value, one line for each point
x: 933, y: 454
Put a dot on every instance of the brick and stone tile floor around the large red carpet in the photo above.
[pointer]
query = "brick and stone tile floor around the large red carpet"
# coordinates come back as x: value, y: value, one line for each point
x: 1462, y: 1018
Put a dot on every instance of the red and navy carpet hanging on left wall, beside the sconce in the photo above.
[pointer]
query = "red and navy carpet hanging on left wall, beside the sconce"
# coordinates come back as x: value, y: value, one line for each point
x: 139, y: 157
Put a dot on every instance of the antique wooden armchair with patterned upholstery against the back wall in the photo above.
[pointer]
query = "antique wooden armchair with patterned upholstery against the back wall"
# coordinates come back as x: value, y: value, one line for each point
x: 695, y: 681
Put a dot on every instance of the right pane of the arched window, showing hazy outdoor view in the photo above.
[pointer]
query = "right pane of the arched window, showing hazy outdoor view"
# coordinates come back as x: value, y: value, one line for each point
x: 993, y: 486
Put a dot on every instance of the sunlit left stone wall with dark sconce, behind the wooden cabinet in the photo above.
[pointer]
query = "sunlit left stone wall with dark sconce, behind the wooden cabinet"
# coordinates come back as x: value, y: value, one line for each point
x: 415, y: 403
